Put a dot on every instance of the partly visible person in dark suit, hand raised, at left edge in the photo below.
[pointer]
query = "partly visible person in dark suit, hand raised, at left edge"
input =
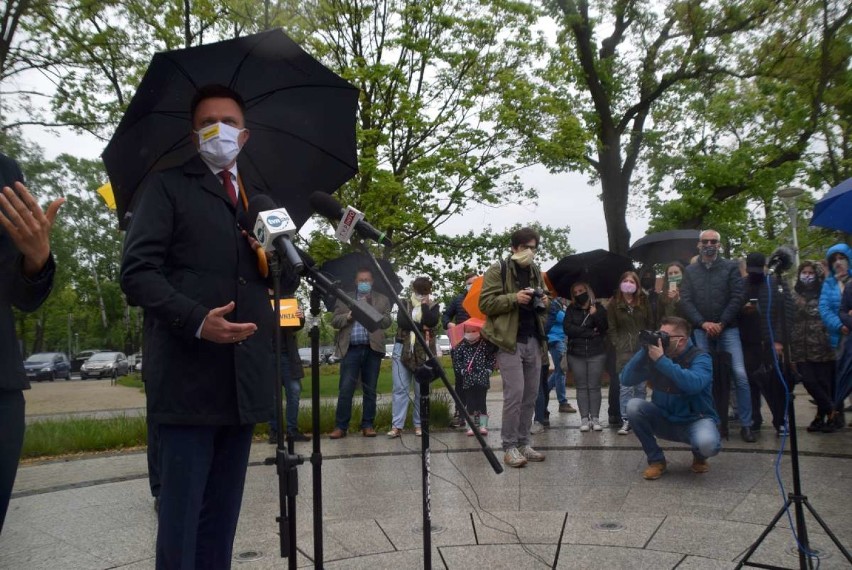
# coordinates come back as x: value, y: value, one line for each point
x: 26, y: 277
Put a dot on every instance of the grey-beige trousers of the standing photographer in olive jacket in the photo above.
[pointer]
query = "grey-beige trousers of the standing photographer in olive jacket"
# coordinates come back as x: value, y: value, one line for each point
x: 521, y: 372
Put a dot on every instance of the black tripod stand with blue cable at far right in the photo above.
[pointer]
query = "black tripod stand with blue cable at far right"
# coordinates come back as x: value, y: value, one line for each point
x: 795, y: 498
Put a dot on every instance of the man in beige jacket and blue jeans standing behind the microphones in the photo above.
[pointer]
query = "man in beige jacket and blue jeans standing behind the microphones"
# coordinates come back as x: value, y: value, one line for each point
x: 361, y: 353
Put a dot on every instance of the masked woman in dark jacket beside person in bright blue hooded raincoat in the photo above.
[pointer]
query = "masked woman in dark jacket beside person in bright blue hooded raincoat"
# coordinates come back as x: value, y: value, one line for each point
x: 810, y: 348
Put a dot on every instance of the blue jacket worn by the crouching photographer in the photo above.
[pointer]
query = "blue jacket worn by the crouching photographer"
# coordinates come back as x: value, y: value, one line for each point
x: 696, y: 382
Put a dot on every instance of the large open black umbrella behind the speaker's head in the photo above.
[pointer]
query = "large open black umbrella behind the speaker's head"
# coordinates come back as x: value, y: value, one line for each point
x: 301, y: 117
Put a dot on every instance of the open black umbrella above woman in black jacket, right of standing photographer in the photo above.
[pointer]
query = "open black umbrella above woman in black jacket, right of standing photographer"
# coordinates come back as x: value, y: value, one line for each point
x: 599, y: 268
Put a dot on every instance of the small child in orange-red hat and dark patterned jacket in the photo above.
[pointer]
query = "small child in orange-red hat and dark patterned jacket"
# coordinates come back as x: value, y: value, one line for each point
x: 473, y: 363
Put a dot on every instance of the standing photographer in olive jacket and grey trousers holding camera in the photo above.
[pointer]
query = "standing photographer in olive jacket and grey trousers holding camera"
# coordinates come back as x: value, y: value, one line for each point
x: 515, y: 307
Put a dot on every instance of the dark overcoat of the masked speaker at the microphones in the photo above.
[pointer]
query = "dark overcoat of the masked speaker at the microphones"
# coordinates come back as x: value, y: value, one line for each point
x: 184, y: 255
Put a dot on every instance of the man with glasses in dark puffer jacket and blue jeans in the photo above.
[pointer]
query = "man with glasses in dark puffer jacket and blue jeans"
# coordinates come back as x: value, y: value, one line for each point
x: 711, y: 296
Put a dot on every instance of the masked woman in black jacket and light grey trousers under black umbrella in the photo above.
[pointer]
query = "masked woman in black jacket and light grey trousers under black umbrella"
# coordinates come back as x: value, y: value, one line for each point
x: 585, y: 327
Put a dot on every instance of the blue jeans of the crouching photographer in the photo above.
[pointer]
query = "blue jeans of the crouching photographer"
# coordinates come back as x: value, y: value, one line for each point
x: 649, y: 423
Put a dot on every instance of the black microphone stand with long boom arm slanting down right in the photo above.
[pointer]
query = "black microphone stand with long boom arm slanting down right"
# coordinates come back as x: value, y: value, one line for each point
x: 424, y: 375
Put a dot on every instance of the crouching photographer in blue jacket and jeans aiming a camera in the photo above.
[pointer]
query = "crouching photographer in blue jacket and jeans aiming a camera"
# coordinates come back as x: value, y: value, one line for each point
x: 681, y: 407
